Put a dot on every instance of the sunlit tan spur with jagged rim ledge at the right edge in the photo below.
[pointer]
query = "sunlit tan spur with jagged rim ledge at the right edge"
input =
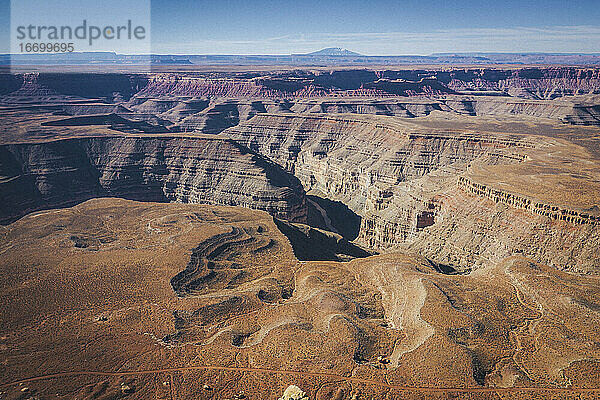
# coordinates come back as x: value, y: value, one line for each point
x: 545, y: 208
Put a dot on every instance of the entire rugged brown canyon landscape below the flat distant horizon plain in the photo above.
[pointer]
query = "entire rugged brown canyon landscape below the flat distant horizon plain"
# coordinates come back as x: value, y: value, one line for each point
x: 414, y: 227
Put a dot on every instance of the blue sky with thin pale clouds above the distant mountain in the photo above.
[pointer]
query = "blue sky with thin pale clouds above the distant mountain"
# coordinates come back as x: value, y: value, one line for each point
x: 374, y: 28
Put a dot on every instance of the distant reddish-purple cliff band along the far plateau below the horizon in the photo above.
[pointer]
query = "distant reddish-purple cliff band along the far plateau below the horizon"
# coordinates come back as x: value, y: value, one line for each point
x: 543, y: 83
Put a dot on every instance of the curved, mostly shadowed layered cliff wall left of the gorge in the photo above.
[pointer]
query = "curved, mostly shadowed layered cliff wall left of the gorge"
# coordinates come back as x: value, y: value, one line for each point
x: 188, y: 170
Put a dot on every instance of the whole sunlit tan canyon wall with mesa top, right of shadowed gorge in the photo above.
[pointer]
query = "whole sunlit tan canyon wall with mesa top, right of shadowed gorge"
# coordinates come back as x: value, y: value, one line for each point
x: 412, y: 188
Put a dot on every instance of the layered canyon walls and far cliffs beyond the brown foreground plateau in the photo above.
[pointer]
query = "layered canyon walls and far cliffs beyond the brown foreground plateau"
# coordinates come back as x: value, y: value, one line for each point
x: 432, y: 172
